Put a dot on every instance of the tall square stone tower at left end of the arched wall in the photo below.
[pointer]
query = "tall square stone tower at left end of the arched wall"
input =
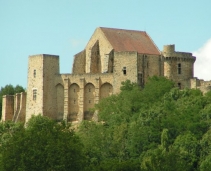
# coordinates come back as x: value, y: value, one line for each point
x: 41, y: 96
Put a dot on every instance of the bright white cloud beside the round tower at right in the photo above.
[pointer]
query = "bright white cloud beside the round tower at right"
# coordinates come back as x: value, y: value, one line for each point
x: 202, y: 67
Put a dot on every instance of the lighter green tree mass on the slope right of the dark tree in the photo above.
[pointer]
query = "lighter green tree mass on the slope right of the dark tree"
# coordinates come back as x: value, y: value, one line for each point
x: 157, y: 128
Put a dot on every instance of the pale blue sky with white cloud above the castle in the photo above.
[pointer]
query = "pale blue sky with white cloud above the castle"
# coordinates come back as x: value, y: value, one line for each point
x: 64, y: 27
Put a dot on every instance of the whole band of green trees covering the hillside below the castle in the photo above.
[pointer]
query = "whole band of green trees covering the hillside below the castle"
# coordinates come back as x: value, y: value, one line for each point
x: 158, y: 128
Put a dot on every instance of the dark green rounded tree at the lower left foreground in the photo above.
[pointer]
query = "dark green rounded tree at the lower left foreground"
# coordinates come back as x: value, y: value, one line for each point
x: 43, y: 145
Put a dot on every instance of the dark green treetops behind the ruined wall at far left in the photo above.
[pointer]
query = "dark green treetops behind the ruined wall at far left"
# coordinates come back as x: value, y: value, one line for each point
x: 9, y: 90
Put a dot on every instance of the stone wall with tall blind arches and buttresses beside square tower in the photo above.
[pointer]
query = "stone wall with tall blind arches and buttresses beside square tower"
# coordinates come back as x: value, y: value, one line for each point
x: 80, y: 93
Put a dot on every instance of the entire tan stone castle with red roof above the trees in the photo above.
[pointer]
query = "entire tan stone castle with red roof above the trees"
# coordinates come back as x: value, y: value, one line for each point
x: 110, y: 57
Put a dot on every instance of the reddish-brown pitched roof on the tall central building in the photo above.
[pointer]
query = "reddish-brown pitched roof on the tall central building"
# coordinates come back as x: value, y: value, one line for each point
x: 130, y: 40
